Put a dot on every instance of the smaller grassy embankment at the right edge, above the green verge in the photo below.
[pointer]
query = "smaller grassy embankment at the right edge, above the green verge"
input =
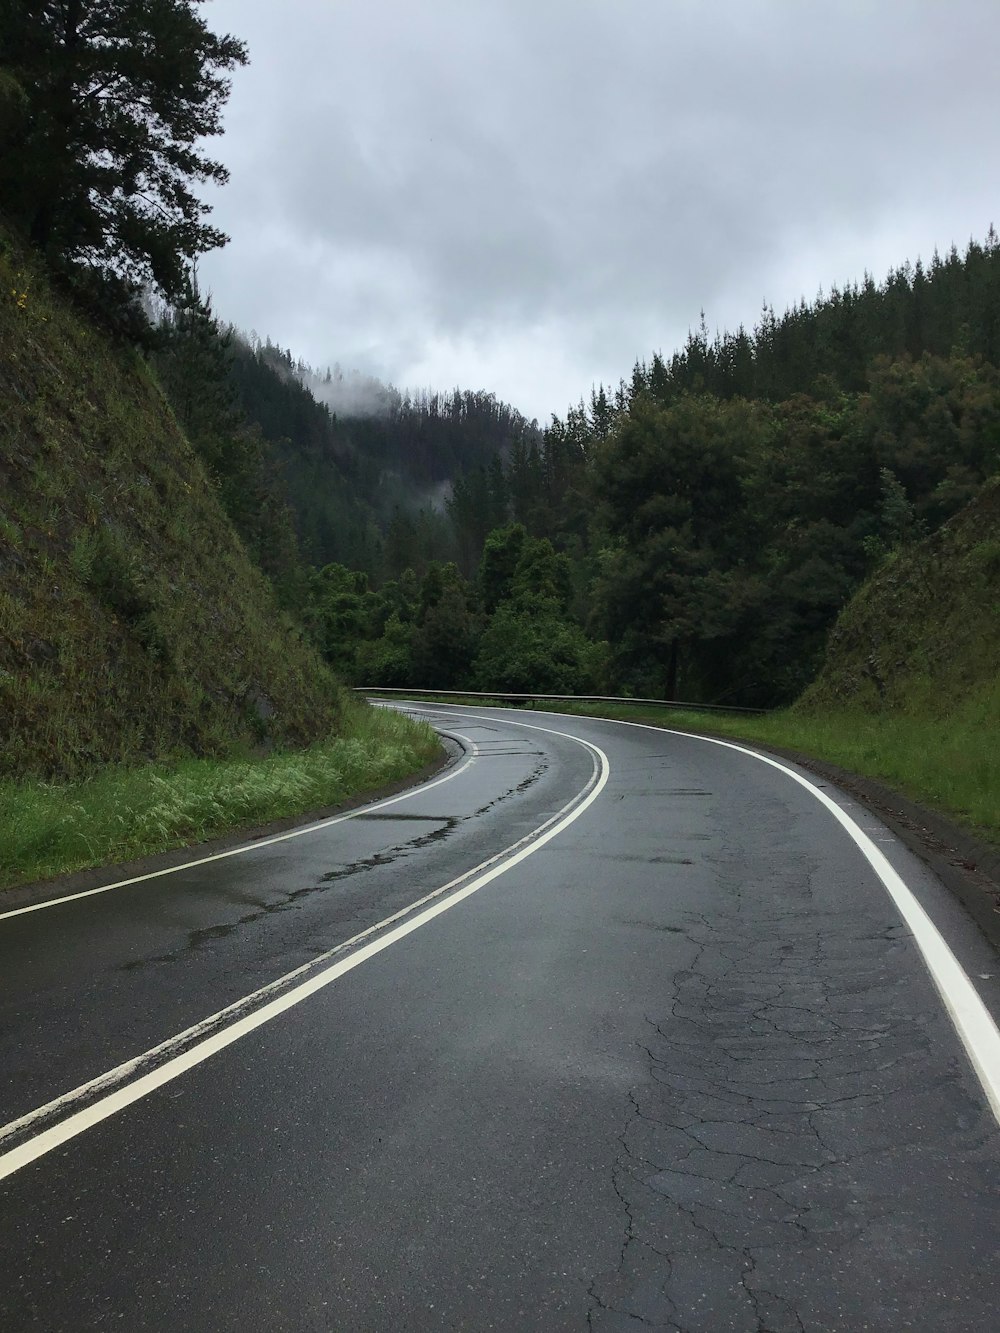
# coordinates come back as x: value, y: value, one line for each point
x: 922, y: 638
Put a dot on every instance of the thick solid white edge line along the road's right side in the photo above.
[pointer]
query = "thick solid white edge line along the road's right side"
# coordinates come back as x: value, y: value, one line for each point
x: 973, y: 1020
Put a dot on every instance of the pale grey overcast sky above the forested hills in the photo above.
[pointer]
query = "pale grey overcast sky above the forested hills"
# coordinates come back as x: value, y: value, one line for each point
x: 529, y: 195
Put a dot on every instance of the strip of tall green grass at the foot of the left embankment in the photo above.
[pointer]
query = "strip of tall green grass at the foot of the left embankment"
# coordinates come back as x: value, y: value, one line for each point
x: 121, y: 814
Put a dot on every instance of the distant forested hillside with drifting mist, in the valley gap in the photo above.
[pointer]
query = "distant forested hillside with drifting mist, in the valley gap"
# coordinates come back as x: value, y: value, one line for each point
x: 367, y: 469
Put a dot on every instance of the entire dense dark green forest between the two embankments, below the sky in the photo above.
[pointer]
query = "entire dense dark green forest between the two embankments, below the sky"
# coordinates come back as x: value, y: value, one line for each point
x: 690, y: 534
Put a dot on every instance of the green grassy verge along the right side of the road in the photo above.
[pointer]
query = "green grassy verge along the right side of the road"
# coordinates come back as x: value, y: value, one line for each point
x: 950, y: 764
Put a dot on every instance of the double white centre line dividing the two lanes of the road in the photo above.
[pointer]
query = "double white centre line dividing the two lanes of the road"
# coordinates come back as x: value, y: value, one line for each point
x: 99, y: 1111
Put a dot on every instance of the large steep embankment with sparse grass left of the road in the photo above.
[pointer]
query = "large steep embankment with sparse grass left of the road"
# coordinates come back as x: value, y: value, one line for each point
x: 133, y: 623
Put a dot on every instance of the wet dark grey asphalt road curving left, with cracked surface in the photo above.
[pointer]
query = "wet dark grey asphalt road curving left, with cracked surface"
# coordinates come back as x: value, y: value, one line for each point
x: 679, y: 1068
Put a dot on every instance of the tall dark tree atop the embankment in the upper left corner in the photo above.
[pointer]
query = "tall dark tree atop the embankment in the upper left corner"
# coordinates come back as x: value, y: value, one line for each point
x: 103, y: 111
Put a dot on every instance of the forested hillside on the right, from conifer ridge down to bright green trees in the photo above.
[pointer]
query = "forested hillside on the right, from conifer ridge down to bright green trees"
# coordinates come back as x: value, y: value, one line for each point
x: 695, y: 533
